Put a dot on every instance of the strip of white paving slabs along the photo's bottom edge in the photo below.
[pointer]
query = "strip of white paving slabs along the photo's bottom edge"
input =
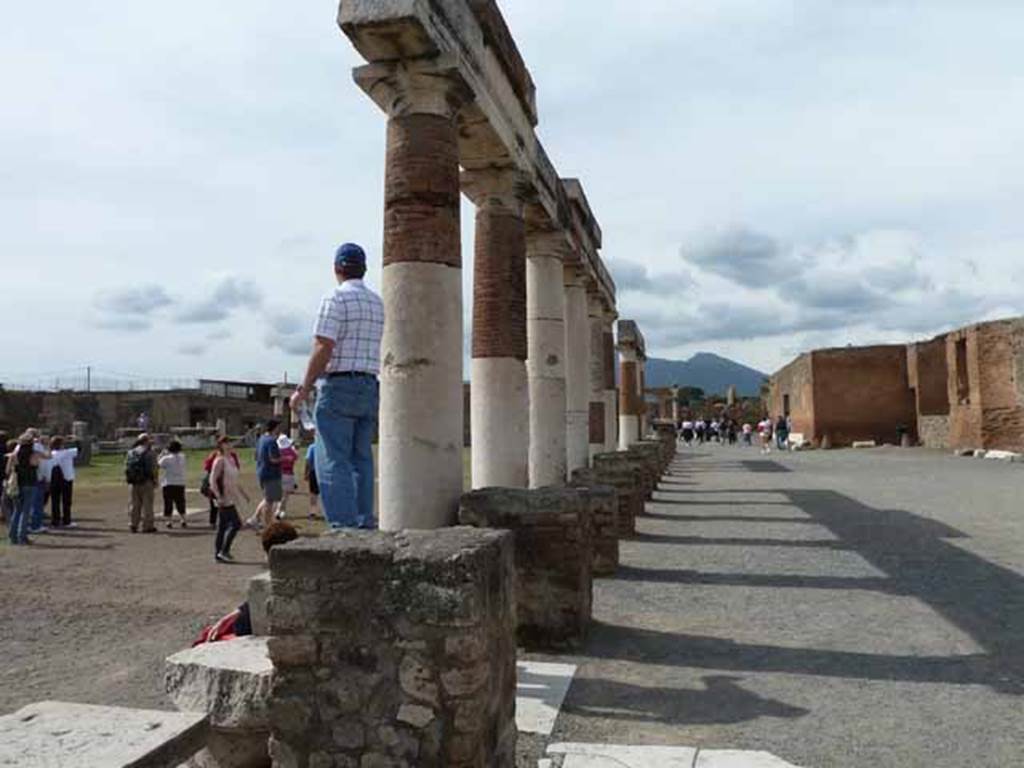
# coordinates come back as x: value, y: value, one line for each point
x: 620, y: 756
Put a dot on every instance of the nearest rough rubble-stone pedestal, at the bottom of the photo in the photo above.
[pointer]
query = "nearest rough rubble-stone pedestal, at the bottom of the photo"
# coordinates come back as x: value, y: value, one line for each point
x: 394, y: 650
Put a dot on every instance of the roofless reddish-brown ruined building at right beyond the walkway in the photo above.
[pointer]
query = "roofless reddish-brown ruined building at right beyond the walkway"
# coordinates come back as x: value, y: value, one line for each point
x: 964, y: 390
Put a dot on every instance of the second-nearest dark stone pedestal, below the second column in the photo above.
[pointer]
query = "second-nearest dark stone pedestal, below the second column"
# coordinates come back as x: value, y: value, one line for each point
x: 554, y: 556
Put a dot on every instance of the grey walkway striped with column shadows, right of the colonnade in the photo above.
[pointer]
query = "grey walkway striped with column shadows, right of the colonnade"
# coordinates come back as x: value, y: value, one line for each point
x: 835, y: 609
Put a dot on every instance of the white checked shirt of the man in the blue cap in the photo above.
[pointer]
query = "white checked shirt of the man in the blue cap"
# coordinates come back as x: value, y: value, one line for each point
x: 353, y: 318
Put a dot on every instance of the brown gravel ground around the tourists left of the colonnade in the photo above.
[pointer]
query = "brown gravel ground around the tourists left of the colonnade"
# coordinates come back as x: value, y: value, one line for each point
x: 90, y: 616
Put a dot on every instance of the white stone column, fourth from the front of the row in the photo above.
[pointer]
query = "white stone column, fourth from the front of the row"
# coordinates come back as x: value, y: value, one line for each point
x: 578, y: 371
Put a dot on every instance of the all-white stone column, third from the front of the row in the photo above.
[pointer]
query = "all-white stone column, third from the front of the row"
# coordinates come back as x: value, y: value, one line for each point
x: 546, y: 358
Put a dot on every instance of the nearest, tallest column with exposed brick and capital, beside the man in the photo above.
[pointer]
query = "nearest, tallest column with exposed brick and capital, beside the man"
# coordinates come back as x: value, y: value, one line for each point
x: 421, y: 417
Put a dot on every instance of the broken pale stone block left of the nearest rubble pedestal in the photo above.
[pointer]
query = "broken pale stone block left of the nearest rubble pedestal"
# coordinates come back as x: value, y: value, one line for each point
x: 231, y: 681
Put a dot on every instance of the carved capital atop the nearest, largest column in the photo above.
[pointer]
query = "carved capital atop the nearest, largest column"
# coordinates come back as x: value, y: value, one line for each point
x: 419, y: 87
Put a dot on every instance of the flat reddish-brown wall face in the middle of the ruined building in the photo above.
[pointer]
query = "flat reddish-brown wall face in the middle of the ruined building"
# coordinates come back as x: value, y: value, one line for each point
x: 863, y: 394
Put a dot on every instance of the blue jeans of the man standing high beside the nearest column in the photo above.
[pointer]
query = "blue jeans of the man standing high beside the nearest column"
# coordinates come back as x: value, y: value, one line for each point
x: 347, y: 420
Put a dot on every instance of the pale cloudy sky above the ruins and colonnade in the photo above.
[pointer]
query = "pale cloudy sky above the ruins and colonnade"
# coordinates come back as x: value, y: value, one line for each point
x: 771, y: 176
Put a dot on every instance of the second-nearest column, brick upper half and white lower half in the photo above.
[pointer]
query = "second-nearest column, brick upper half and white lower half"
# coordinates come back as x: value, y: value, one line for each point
x: 499, y: 392
